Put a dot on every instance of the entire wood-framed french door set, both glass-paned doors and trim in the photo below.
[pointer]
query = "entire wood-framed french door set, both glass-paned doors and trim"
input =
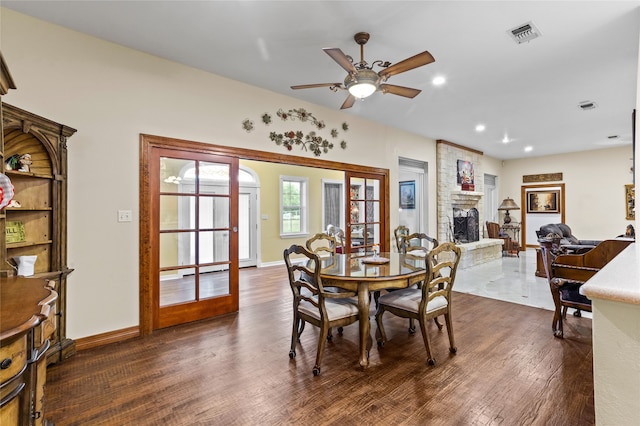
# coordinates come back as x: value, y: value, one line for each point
x: 190, y: 227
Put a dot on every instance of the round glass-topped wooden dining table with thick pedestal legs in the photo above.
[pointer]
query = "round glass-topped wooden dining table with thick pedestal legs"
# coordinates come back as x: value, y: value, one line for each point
x: 367, y: 273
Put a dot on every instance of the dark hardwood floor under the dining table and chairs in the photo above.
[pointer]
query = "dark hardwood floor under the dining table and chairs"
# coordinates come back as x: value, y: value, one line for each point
x: 235, y: 370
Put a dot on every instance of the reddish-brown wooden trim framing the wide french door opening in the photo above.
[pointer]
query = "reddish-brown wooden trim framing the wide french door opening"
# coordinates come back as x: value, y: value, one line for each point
x: 150, y: 142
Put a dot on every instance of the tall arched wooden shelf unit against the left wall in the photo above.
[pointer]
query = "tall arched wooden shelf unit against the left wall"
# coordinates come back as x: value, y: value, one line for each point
x: 42, y: 196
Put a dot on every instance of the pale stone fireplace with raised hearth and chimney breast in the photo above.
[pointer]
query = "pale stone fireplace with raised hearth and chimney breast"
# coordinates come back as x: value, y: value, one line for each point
x: 461, y: 213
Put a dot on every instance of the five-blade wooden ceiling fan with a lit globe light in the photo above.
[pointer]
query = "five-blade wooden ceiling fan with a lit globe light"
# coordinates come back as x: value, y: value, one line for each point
x: 362, y: 81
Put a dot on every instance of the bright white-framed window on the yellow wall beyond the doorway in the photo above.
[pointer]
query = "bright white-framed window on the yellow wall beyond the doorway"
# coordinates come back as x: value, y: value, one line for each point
x: 293, y: 205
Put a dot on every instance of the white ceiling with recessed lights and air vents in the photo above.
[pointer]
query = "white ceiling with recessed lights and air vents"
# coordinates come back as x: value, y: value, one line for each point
x: 530, y: 92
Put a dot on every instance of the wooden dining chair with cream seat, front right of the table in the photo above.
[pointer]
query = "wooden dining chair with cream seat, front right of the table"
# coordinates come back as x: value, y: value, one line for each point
x: 430, y: 301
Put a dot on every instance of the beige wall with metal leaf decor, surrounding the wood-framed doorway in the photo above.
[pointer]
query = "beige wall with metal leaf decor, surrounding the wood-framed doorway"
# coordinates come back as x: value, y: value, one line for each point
x: 112, y: 94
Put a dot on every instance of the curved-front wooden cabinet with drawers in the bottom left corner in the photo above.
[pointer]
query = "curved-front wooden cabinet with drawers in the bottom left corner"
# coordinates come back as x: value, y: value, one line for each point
x: 26, y: 310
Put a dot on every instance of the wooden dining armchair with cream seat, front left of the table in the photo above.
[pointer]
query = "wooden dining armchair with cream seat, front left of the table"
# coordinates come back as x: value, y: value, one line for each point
x: 312, y: 304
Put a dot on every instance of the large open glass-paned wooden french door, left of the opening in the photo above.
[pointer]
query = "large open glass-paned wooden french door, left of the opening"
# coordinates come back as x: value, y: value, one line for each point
x: 194, y: 217
